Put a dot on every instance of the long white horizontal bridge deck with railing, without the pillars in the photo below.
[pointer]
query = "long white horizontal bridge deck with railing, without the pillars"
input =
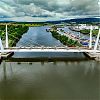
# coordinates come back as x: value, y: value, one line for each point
x: 49, y: 49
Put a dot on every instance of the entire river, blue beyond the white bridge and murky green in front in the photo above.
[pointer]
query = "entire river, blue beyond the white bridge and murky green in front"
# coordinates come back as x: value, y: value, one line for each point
x: 25, y: 79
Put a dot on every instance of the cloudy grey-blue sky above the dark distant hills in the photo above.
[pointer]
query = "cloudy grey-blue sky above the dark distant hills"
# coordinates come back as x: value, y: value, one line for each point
x: 42, y: 10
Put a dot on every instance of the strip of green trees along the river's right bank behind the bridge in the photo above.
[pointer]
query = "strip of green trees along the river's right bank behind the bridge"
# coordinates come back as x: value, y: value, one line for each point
x: 64, y: 39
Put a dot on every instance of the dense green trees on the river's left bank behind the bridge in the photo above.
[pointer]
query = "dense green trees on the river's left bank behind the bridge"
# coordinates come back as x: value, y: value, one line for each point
x: 15, y: 32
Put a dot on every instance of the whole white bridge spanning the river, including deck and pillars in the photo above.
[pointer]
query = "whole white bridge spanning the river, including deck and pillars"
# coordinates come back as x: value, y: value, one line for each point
x: 90, y: 48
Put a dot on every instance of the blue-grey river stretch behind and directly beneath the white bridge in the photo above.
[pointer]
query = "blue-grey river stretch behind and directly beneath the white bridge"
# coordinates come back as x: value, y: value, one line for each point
x: 37, y: 36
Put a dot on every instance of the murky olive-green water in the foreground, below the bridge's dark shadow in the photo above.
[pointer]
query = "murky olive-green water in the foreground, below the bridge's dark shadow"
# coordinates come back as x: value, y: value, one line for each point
x: 77, y: 80
